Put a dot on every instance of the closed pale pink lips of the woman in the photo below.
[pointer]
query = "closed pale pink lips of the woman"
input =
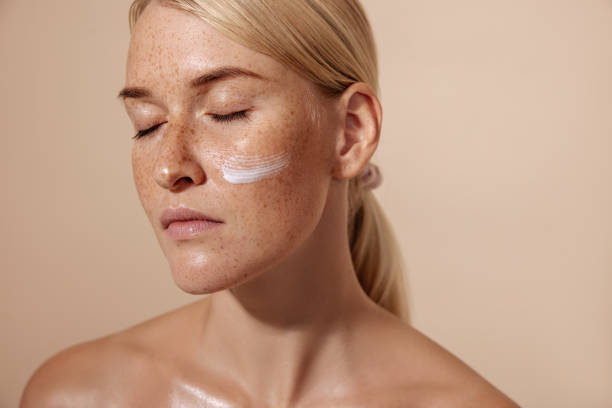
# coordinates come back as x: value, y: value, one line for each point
x: 184, y: 223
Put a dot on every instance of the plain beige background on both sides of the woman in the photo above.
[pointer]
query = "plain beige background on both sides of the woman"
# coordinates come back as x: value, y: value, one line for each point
x: 496, y: 151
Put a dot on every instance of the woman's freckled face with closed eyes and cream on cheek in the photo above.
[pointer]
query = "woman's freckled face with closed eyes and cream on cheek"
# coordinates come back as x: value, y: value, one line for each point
x: 242, y: 145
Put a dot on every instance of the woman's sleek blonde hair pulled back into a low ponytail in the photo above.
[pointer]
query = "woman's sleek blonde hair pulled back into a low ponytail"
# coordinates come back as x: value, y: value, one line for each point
x: 330, y: 42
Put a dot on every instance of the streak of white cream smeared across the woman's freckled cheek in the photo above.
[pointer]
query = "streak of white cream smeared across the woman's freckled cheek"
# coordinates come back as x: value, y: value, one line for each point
x: 238, y: 169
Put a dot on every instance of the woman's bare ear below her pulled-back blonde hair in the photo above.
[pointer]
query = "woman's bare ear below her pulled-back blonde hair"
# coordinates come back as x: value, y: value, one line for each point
x: 357, y: 140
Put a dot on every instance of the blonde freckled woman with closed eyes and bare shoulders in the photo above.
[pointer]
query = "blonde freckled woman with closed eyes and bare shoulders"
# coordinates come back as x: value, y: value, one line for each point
x: 256, y: 121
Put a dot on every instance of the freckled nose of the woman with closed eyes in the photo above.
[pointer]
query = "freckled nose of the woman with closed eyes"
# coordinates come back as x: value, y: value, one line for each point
x: 176, y: 167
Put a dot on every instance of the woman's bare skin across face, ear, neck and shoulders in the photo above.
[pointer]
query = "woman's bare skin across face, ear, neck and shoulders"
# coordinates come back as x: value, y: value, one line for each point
x: 286, y: 323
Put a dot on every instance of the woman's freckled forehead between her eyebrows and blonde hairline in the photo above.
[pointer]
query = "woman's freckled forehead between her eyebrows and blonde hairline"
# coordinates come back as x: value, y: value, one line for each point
x: 170, y: 45
